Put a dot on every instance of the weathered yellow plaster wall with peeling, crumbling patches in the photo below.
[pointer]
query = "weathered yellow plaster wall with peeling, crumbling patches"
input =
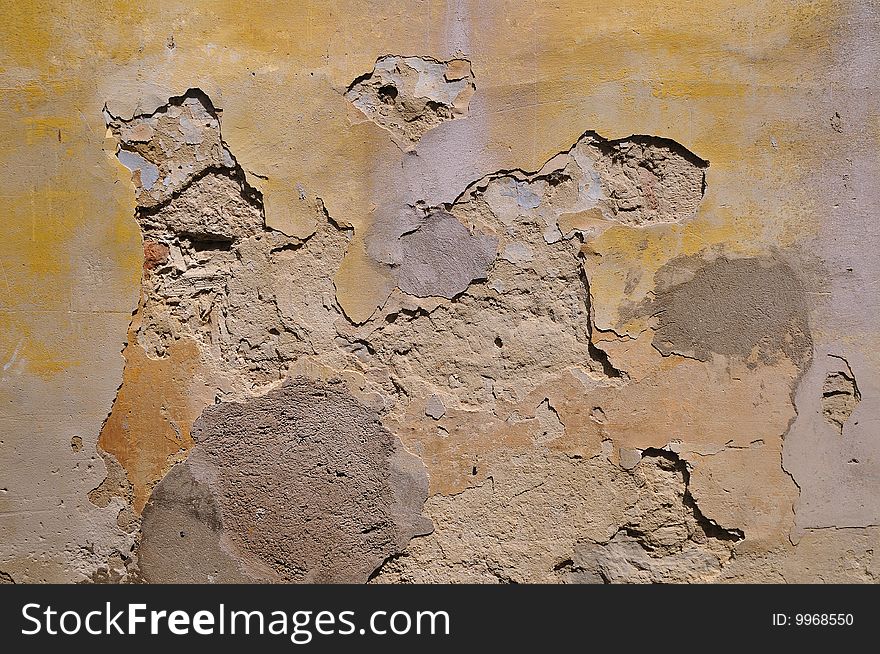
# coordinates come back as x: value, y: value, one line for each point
x: 439, y: 291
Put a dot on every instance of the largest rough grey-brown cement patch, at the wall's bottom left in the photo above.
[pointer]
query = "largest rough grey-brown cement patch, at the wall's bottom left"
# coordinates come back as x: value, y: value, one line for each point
x: 302, y: 484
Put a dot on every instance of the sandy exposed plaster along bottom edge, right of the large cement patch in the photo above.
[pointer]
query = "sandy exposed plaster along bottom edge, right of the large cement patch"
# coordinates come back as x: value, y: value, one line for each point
x: 546, y: 517
